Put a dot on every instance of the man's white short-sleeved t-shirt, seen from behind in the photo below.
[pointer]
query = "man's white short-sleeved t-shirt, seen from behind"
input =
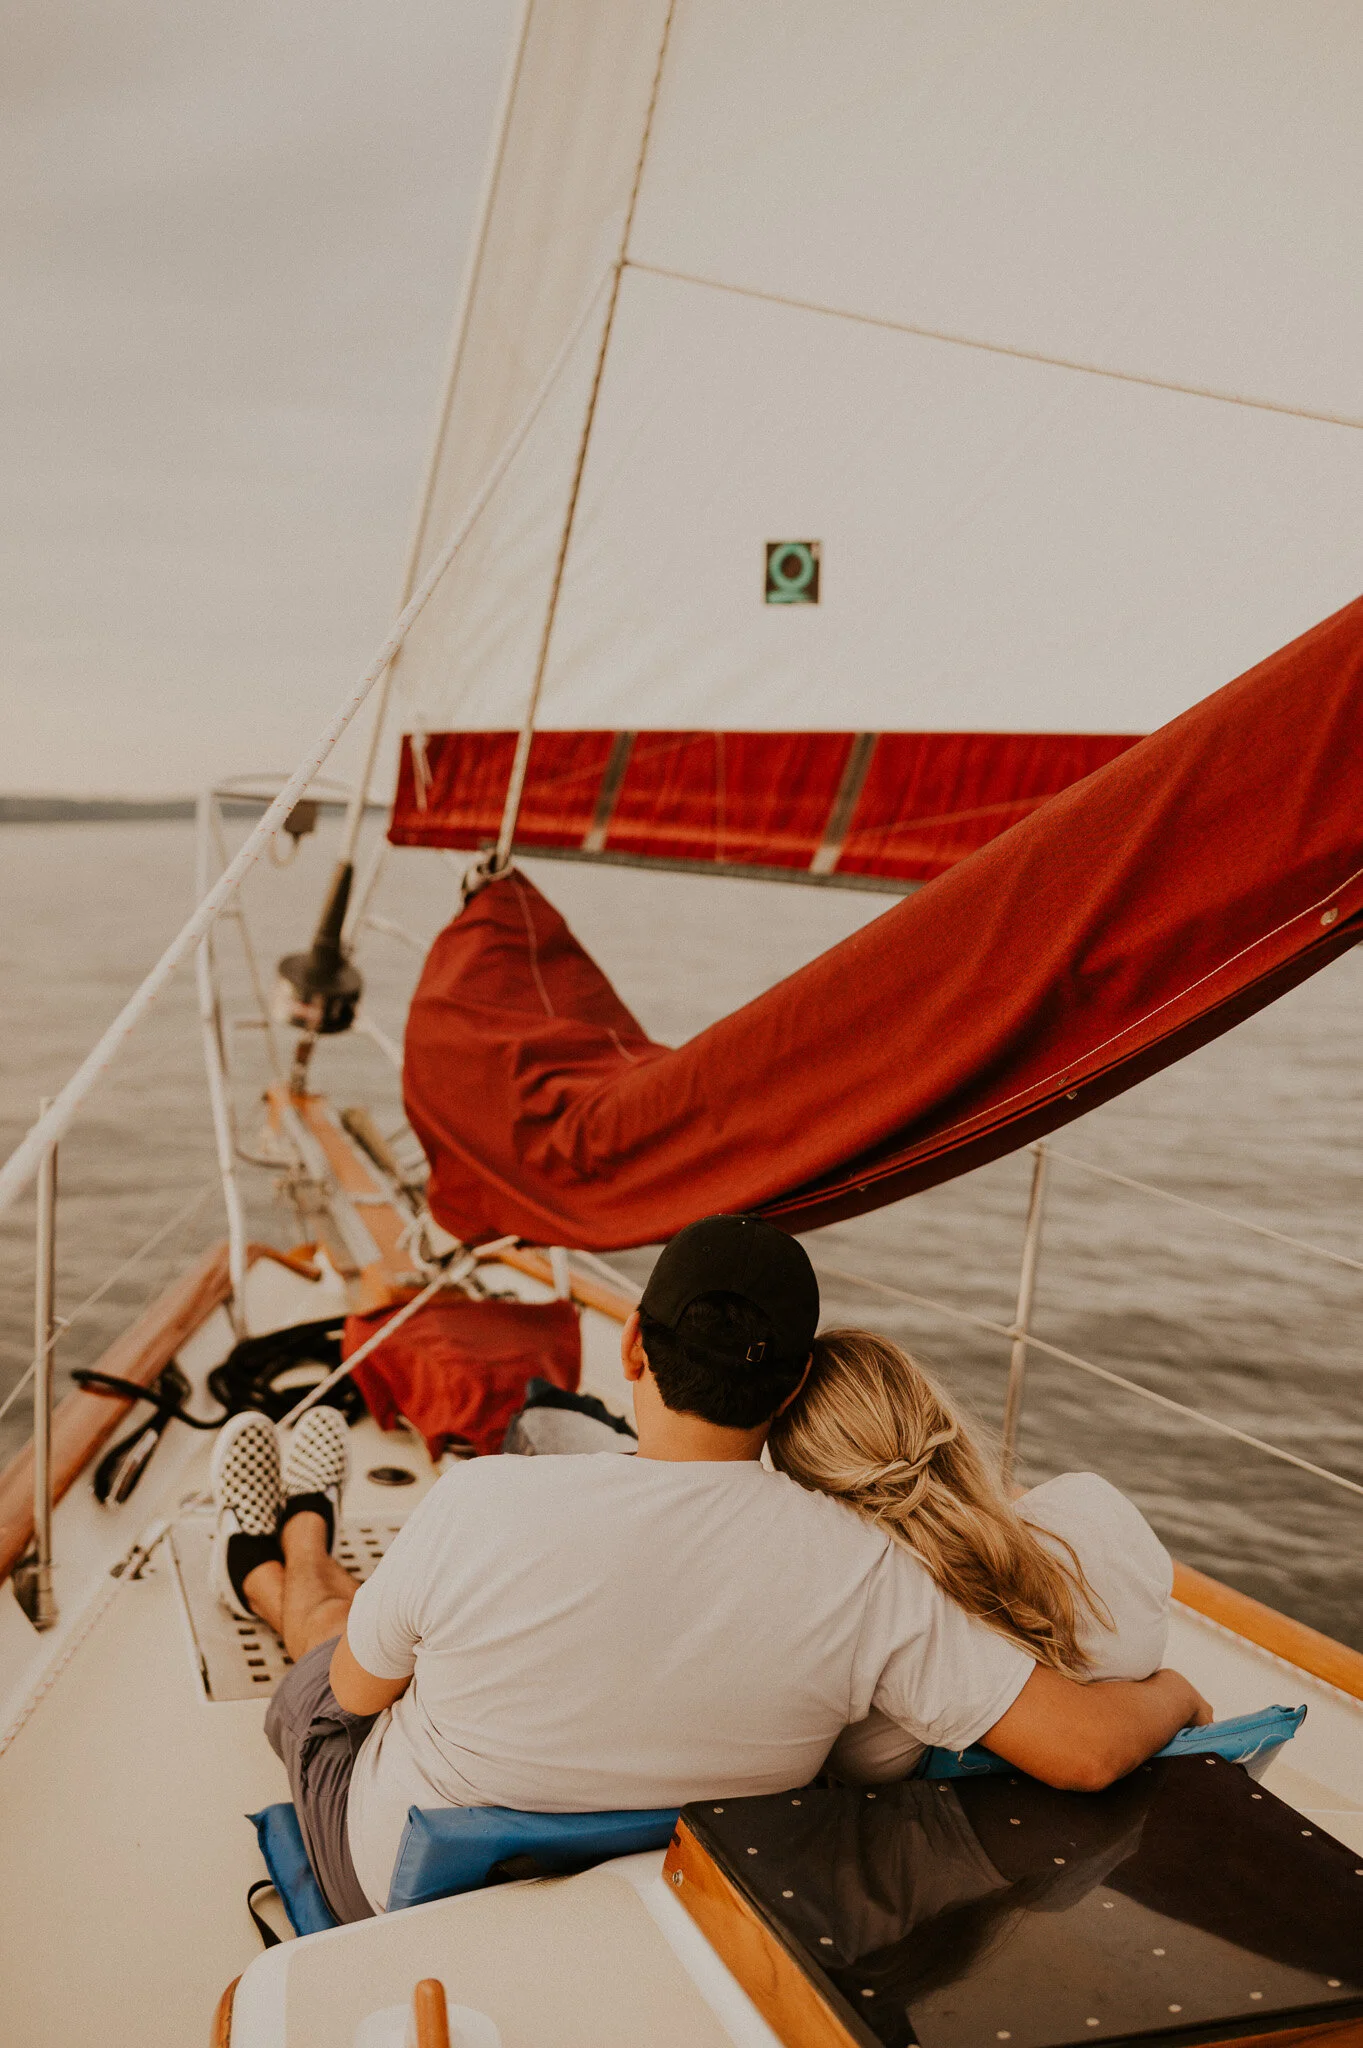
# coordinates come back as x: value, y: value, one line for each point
x: 613, y: 1633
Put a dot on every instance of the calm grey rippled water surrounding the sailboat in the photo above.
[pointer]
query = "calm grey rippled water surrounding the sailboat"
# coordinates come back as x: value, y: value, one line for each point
x: 1268, y: 1123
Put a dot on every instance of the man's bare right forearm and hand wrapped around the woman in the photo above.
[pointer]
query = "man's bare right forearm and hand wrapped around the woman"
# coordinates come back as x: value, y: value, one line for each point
x: 1084, y: 1738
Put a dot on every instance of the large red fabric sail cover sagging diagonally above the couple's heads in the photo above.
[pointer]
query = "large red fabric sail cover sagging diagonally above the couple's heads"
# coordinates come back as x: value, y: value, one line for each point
x: 1120, y: 927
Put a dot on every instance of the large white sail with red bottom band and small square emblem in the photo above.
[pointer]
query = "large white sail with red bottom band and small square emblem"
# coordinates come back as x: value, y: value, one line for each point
x: 957, y: 394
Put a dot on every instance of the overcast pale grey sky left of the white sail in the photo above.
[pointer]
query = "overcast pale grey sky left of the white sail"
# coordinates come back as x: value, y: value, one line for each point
x: 232, y: 239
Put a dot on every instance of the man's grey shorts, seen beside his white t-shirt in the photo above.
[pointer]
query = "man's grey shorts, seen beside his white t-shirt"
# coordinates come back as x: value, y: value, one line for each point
x: 318, y: 1742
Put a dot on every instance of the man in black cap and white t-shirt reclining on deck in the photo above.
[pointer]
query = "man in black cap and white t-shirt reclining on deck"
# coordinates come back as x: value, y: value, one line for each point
x: 592, y: 1633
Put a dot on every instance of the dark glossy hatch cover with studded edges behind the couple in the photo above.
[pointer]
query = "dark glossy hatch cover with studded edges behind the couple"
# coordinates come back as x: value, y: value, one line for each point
x: 963, y: 1914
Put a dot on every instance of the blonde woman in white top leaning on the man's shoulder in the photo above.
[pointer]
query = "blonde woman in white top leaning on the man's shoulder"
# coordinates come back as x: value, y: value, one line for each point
x: 1073, y: 1572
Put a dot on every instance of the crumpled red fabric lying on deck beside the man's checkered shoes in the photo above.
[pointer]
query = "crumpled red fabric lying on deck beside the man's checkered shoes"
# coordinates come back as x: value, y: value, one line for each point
x: 459, y: 1369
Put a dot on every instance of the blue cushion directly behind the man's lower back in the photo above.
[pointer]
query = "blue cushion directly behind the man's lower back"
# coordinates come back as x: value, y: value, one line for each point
x: 451, y: 1850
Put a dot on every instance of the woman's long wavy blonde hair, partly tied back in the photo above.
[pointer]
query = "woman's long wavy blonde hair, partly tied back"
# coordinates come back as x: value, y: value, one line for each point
x: 875, y: 1433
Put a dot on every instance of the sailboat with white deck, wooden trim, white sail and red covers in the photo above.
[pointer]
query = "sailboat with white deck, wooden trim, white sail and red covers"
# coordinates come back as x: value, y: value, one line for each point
x: 887, y: 447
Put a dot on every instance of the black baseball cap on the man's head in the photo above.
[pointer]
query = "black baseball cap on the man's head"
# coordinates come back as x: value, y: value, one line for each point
x: 740, y: 1256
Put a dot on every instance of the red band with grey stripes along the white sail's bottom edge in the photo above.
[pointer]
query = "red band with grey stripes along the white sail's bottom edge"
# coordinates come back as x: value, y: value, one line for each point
x: 852, y: 808
